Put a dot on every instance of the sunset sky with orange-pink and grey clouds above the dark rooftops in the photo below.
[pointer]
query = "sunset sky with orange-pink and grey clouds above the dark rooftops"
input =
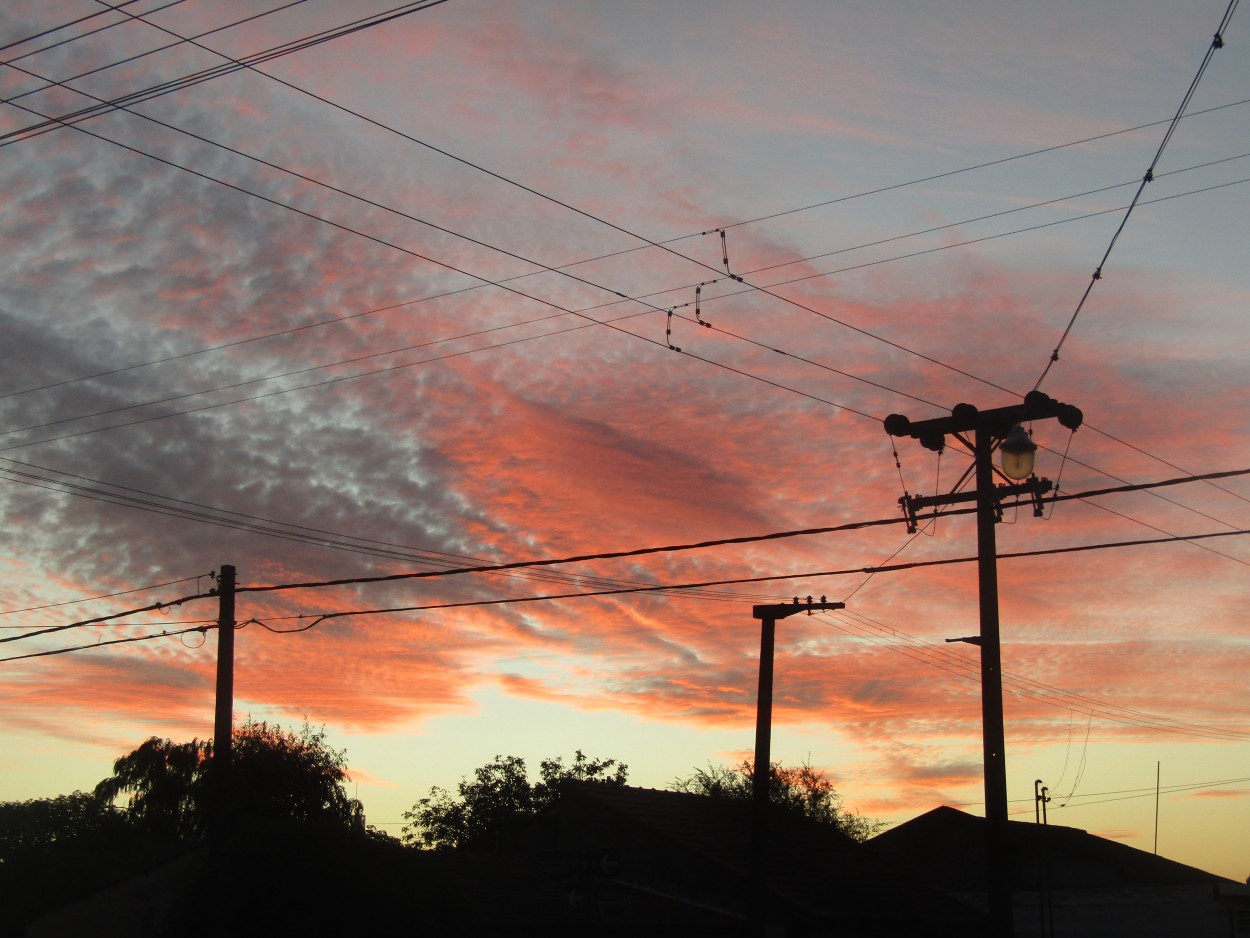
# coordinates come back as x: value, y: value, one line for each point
x: 496, y: 283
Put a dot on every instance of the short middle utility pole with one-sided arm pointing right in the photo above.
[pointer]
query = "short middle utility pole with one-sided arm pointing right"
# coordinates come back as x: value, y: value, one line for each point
x: 768, y: 616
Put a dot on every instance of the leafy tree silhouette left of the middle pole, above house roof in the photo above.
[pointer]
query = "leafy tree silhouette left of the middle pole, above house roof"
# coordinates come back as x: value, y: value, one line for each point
x: 498, y: 795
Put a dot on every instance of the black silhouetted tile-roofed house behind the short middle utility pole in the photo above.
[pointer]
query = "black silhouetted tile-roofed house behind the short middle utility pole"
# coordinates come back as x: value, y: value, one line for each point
x: 637, y: 861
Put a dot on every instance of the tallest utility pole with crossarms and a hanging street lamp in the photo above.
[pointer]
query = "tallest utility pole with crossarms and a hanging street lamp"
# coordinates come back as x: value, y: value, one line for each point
x: 998, y: 428
